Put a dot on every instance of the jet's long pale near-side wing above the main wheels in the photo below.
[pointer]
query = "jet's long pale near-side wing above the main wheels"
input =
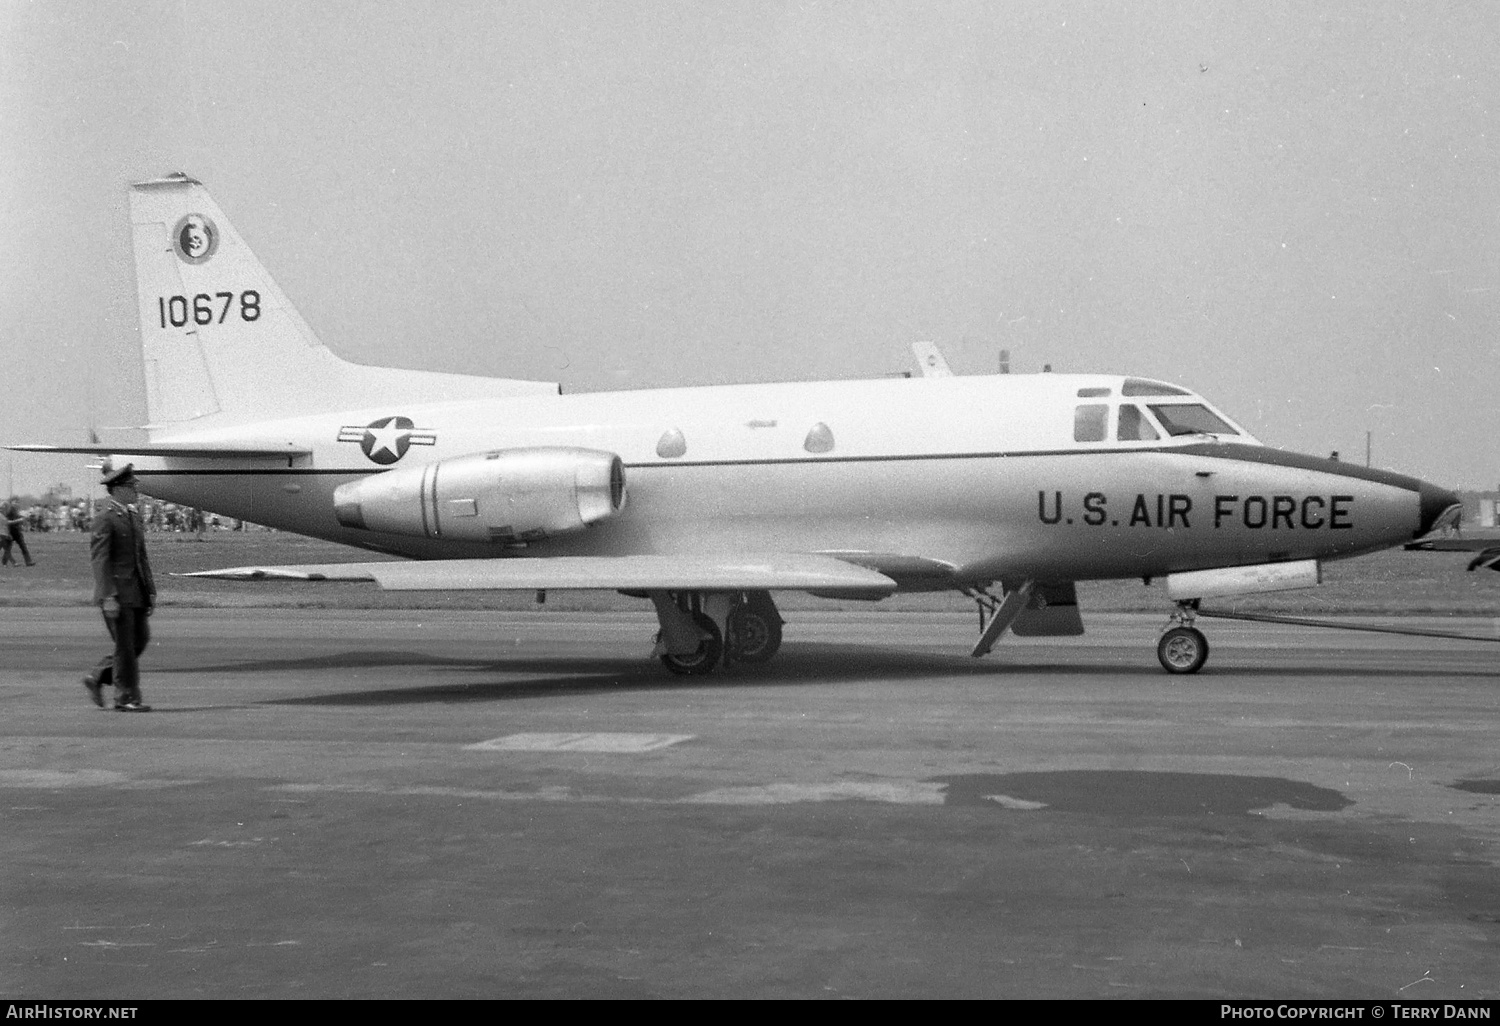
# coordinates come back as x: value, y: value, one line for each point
x: 613, y: 574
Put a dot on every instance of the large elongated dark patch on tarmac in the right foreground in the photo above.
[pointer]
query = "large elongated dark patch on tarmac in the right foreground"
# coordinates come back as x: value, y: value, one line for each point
x: 1139, y: 793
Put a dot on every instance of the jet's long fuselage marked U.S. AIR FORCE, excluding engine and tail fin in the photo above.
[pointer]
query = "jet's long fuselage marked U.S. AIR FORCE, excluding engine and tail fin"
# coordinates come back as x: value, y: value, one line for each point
x: 980, y: 473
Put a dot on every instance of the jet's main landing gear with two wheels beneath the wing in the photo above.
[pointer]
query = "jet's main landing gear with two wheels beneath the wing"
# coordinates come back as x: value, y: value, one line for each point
x: 701, y: 631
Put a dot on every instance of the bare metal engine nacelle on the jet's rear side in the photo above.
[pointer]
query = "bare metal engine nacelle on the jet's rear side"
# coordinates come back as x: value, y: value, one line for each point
x: 505, y: 496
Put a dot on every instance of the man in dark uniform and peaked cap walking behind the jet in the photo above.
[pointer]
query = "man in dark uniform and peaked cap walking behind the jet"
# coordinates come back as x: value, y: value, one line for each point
x: 124, y: 590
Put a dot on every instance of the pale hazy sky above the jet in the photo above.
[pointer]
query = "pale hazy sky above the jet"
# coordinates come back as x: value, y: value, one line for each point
x: 1292, y: 208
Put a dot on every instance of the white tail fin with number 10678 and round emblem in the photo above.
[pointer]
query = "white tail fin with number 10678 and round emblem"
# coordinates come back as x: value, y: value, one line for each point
x: 221, y: 343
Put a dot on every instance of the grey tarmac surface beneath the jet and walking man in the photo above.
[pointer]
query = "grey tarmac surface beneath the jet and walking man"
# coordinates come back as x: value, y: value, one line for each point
x: 479, y: 805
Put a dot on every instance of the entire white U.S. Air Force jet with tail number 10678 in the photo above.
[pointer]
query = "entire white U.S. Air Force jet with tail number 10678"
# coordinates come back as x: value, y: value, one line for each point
x: 707, y: 500
